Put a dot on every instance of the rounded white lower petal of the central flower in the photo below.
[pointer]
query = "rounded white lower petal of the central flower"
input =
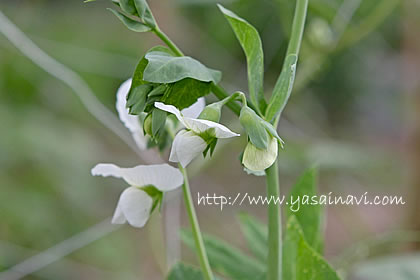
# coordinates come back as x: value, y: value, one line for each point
x: 186, y: 146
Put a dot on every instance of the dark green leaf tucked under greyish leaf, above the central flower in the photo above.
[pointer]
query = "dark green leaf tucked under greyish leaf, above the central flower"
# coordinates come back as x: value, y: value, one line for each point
x: 184, y: 93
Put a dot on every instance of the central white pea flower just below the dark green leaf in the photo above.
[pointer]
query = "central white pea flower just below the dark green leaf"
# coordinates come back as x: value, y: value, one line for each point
x: 198, y: 135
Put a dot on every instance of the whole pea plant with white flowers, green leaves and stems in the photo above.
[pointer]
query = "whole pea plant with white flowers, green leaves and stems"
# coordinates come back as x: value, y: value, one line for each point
x: 163, y: 106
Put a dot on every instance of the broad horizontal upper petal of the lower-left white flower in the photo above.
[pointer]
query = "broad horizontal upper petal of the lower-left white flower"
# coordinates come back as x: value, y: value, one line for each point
x: 163, y: 176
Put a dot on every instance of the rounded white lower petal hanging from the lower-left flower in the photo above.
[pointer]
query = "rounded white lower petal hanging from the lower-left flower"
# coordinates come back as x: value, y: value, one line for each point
x: 134, y: 206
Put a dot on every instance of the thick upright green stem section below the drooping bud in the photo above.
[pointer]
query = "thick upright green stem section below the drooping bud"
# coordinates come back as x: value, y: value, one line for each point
x: 274, y: 271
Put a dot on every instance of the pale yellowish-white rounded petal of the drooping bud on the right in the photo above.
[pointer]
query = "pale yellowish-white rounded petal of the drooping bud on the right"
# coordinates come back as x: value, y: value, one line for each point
x: 258, y: 159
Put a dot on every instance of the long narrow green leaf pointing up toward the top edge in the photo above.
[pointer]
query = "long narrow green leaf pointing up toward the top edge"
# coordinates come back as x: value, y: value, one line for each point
x: 251, y: 44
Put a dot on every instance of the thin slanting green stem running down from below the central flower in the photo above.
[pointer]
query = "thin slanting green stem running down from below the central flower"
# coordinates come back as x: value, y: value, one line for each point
x: 198, y: 238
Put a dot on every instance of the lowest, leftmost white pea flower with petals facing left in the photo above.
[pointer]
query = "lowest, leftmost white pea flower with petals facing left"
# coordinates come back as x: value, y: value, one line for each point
x: 147, y: 184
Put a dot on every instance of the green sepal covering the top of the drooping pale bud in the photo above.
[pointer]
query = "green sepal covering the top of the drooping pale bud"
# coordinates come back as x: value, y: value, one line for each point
x: 252, y: 124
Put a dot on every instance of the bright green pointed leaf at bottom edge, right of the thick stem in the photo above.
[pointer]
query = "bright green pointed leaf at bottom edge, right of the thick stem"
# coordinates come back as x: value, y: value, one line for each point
x: 300, y: 261
